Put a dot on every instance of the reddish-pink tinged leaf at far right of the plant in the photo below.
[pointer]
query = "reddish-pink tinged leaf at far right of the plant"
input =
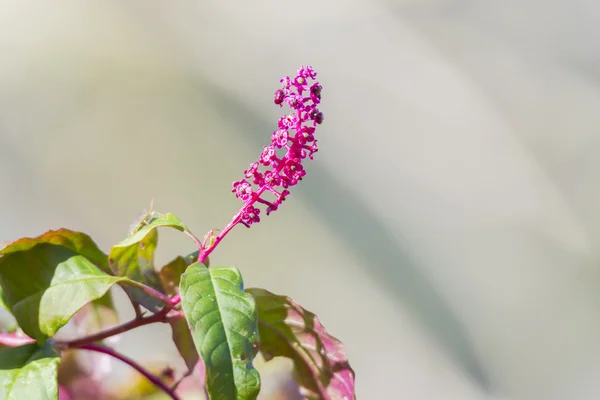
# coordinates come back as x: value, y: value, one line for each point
x: 320, y: 361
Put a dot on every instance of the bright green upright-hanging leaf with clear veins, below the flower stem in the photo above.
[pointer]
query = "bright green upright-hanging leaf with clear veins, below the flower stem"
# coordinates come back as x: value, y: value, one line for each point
x: 223, y: 322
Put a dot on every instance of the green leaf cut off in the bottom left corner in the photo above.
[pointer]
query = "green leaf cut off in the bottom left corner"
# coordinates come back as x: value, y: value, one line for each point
x: 28, y: 372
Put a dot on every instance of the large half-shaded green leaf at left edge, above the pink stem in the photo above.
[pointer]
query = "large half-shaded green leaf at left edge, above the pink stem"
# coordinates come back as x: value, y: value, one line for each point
x: 46, y: 284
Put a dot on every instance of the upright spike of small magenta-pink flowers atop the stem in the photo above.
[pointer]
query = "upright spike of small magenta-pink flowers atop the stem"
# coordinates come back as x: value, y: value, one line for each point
x: 279, y: 166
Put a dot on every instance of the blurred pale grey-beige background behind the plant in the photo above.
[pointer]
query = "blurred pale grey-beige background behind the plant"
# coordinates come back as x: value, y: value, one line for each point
x: 448, y: 229
